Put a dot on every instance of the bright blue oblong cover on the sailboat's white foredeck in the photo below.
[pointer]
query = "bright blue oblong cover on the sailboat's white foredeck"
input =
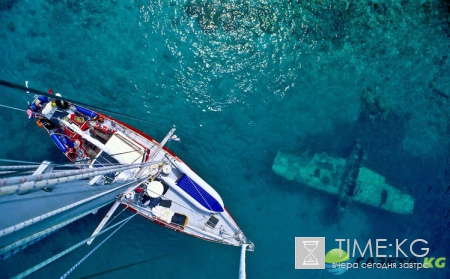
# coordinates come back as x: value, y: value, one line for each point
x: 198, y: 193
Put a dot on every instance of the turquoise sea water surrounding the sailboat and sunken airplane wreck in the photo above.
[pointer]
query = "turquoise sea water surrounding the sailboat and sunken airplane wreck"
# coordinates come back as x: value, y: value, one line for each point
x: 243, y: 80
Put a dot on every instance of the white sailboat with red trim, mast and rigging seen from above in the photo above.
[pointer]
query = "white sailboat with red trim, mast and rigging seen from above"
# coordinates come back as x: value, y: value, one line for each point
x: 121, y: 163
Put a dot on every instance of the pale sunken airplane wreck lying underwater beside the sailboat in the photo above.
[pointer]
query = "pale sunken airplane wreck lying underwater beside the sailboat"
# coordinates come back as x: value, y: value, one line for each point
x: 346, y: 178
